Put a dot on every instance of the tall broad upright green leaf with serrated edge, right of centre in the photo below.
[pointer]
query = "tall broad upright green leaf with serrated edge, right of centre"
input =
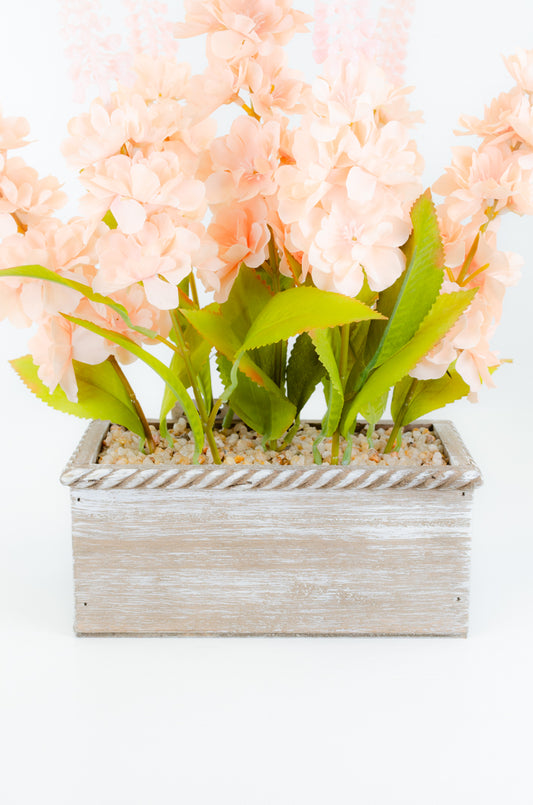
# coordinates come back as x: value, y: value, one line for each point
x: 409, y: 300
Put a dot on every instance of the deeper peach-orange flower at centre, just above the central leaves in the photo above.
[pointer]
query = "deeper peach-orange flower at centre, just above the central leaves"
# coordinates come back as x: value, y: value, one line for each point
x: 242, y: 236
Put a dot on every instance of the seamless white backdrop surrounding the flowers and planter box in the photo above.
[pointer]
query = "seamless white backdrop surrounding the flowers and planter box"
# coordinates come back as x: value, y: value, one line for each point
x: 272, y: 721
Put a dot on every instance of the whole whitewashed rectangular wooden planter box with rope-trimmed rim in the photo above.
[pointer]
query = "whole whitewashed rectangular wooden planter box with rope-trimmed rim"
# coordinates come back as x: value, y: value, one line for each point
x: 261, y: 550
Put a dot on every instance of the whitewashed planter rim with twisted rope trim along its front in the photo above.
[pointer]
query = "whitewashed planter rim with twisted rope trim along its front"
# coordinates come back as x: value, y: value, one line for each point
x: 82, y: 471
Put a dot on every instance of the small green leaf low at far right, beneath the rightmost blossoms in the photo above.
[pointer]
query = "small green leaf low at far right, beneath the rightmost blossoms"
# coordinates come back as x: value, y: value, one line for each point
x: 428, y: 396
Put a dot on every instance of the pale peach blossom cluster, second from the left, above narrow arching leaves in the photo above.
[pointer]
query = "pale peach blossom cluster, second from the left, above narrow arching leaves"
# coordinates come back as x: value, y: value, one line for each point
x: 140, y: 154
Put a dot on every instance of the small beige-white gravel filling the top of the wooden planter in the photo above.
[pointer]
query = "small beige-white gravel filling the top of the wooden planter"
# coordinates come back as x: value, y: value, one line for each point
x: 238, y: 445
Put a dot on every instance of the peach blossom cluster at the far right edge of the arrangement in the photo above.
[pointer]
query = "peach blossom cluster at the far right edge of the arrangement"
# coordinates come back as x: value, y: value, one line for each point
x: 478, y: 187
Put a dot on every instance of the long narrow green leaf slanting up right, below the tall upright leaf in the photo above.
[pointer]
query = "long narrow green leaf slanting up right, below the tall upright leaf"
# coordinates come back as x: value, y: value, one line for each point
x: 442, y: 316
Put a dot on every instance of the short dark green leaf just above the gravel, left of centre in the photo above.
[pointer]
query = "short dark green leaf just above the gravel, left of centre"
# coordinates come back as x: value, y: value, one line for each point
x: 265, y: 408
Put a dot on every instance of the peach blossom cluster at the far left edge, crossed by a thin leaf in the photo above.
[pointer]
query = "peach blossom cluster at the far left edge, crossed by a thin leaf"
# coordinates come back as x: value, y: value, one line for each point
x: 31, y: 234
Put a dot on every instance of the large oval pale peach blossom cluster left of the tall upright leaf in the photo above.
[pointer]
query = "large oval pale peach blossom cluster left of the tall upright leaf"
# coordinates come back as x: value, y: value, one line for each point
x: 345, y: 197
